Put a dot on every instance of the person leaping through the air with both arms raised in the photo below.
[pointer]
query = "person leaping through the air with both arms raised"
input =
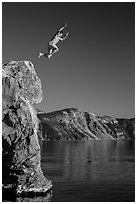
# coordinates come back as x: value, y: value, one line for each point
x: 52, y: 48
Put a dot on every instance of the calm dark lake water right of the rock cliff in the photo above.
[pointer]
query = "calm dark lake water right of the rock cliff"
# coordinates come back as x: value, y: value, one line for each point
x: 90, y: 171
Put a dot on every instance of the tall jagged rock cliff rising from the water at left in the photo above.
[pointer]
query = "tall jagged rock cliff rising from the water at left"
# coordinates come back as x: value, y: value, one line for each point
x: 21, y: 159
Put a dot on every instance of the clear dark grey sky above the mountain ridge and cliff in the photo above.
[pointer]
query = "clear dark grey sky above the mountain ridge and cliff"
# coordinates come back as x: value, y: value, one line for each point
x: 94, y: 69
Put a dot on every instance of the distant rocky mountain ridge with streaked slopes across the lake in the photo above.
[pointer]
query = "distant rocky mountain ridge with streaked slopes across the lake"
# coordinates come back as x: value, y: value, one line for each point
x: 72, y: 124
